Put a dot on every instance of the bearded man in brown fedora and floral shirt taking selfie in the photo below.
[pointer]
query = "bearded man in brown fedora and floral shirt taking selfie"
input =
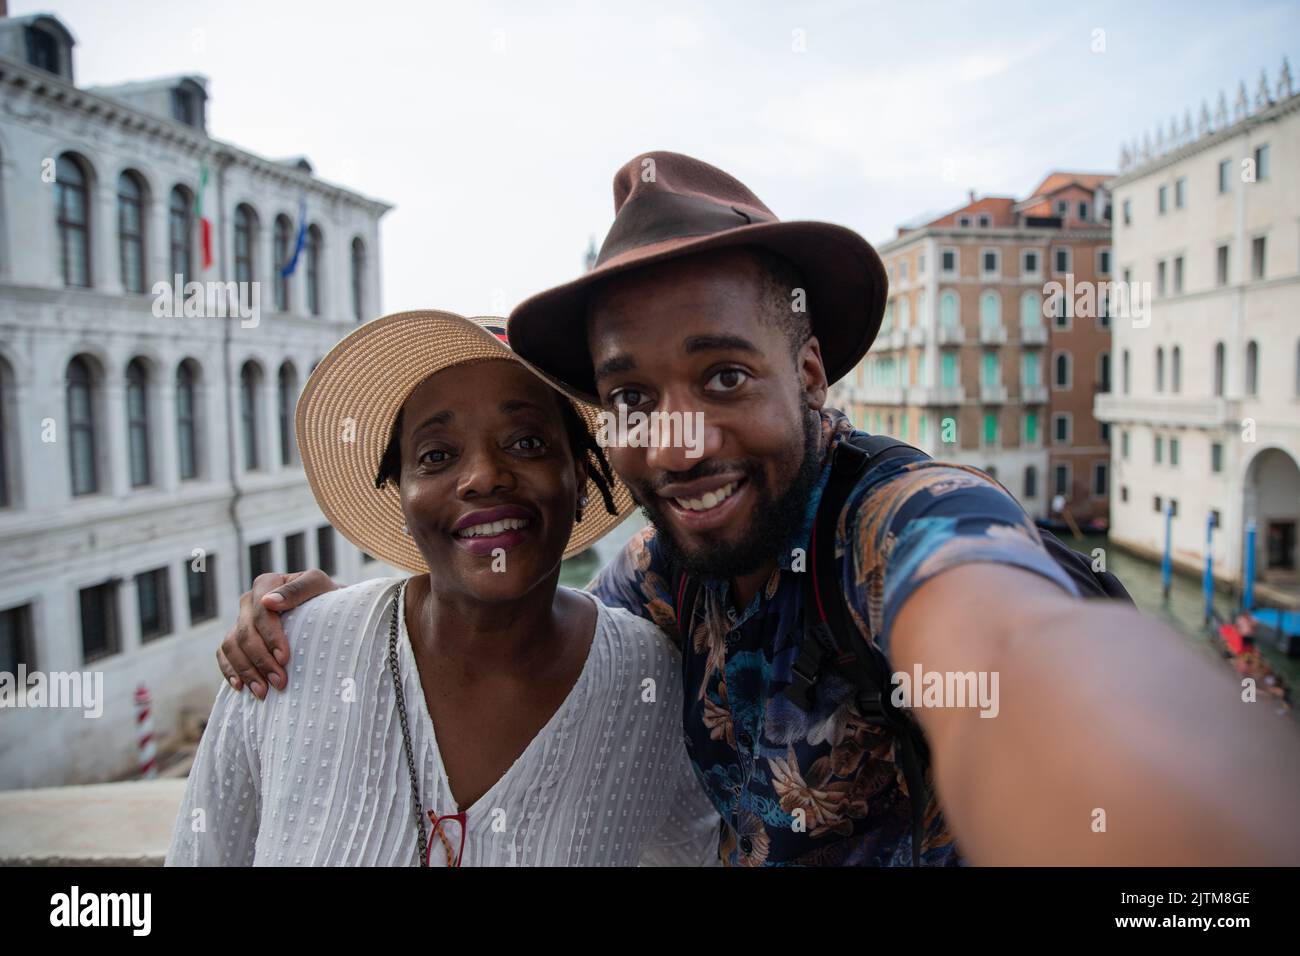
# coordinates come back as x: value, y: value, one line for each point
x: 1111, y: 742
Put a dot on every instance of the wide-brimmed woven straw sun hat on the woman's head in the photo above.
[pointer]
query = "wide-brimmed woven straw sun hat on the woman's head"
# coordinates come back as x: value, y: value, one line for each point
x: 346, y: 413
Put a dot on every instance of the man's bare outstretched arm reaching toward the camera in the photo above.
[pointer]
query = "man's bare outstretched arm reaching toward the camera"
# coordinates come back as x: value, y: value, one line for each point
x: 1102, y: 711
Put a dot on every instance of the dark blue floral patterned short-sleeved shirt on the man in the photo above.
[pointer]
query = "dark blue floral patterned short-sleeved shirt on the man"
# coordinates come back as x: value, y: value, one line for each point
x: 760, y: 758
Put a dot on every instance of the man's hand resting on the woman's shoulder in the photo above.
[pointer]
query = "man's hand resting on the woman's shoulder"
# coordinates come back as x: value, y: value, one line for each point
x: 255, y: 652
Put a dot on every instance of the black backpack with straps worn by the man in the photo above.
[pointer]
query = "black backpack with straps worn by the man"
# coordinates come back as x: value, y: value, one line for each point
x: 833, y: 642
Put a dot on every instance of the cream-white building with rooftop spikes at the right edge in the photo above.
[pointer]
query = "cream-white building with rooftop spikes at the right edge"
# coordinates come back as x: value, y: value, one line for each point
x: 1207, y: 412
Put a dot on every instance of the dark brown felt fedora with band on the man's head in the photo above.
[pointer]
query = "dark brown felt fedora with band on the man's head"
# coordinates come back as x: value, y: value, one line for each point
x: 669, y: 206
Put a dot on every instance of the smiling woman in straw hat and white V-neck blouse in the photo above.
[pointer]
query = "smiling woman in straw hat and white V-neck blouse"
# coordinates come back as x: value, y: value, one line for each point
x: 475, y: 713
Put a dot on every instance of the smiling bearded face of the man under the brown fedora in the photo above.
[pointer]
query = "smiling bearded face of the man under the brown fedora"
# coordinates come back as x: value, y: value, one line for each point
x: 691, y: 336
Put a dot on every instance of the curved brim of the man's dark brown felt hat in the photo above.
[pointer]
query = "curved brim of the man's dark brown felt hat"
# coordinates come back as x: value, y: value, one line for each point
x: 847, y: 292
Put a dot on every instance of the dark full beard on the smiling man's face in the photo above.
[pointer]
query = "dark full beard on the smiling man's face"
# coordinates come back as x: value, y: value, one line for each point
x: 782, y: 514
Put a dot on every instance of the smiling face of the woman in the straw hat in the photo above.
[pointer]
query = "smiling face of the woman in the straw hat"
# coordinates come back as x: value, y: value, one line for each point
x: 489, y: 485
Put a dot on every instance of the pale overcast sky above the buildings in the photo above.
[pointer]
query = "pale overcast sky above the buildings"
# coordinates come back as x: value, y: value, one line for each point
x: 496, y: 129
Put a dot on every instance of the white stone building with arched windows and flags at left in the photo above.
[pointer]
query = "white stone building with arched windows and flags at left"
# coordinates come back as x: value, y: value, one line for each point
x: 131, y: 443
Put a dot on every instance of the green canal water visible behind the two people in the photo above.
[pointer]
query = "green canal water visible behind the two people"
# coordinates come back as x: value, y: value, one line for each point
x: 1184, y: 612
